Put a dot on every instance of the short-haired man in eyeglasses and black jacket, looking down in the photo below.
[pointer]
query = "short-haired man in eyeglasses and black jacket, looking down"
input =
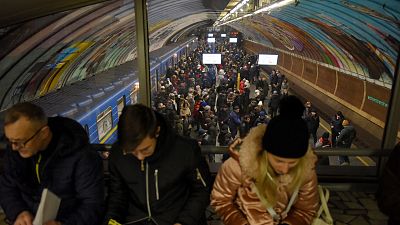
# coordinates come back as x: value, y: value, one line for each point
x: 51, y: 153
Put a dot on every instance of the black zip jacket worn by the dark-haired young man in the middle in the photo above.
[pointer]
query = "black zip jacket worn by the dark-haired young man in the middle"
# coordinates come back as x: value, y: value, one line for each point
x: 171, y: 186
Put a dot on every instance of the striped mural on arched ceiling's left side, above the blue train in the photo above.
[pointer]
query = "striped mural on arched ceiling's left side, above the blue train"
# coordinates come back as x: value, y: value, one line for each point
x: 67, y: 47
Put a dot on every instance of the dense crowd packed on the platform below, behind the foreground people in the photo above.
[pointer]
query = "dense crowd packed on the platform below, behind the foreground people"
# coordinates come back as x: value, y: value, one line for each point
x: 215, y: 103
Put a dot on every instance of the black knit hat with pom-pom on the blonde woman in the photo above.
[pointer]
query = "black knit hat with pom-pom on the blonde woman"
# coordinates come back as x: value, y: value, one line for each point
x: 287, y: 135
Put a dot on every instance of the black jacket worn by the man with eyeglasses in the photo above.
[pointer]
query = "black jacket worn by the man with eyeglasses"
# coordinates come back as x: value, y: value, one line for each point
x: 68, y: 167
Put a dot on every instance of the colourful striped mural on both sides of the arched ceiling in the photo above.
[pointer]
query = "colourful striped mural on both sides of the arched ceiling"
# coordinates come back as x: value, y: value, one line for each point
x: 42, y: 55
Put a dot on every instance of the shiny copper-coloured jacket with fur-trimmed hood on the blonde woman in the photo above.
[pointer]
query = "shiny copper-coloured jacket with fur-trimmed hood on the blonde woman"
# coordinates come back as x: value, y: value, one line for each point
x: 237, y: 203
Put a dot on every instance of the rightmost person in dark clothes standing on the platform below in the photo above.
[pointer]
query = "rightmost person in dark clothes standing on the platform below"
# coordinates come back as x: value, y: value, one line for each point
x: 345, y: 139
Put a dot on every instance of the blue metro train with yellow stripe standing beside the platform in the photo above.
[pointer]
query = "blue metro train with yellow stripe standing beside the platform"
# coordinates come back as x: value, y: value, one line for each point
x: 97, y: 101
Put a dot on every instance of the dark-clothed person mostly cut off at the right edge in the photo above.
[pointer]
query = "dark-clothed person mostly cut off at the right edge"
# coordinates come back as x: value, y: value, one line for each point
x: 388, y: 195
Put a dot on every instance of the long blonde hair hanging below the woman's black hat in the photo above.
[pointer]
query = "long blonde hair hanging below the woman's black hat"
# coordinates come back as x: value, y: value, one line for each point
x: 266, y: 180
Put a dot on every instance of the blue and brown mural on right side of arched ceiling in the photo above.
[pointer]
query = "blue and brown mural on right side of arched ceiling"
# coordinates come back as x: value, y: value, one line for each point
x: 358, y: 36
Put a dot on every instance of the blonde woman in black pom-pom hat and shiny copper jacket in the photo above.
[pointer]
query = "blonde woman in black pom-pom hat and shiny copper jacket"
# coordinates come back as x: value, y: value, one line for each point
x: 273, y: 166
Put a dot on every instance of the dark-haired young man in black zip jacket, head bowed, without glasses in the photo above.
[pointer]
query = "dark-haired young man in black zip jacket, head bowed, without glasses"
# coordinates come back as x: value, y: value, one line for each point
x: 156, y: 176
